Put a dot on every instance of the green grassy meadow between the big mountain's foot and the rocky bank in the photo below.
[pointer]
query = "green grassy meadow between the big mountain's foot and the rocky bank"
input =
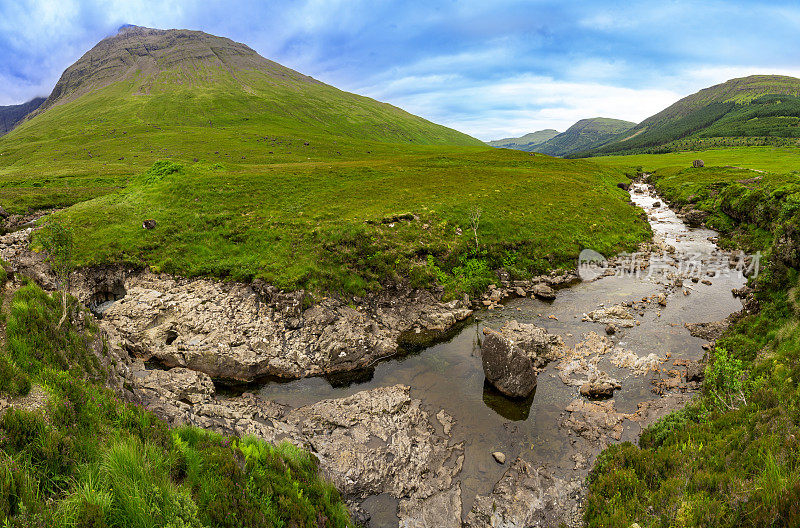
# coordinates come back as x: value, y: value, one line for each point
x: 318, y: 225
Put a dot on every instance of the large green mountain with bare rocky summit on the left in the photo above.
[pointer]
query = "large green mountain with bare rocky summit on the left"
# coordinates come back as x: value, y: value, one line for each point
x: 143, y: 78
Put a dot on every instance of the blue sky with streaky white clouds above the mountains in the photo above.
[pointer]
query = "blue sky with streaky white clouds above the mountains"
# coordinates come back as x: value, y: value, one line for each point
x: 490, y: 68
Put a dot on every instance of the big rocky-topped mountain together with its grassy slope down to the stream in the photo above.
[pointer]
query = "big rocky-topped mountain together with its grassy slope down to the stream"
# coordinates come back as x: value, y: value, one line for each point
x: 253, y: 170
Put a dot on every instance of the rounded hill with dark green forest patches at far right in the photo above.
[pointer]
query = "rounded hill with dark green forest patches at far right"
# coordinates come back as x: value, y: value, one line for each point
x: 759, y: 106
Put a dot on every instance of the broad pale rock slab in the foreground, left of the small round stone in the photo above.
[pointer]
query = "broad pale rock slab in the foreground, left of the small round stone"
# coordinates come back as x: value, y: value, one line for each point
x: 379, y: 441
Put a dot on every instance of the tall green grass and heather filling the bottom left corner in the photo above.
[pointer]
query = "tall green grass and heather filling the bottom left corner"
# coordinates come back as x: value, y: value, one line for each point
x: 88, y: 459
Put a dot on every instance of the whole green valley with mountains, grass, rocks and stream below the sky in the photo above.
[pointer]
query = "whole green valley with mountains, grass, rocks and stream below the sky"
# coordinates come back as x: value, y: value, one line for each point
x: 284, y: 289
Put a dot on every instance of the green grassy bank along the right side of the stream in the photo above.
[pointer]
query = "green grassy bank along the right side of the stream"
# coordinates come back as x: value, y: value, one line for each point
x: 730, y: 458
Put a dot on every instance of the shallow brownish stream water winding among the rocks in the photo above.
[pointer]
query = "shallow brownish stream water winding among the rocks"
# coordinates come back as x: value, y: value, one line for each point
x: 449, y: 375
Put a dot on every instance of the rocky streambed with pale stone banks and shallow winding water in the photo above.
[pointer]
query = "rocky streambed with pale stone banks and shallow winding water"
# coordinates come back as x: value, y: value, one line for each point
x: 410, y: 443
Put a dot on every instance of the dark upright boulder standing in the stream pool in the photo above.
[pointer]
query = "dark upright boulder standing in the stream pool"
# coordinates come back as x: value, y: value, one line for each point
x: 506, y: 366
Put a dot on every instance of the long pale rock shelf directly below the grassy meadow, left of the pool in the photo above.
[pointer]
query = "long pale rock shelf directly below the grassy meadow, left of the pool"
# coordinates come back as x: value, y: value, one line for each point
x: 246, y: 331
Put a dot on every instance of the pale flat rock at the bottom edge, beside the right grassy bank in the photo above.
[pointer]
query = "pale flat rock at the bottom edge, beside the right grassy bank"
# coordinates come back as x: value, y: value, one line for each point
x: 524, y: 497
